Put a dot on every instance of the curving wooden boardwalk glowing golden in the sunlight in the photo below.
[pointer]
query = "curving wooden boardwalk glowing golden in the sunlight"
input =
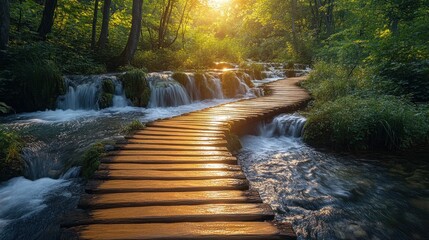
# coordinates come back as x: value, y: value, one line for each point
x: 176, y: 179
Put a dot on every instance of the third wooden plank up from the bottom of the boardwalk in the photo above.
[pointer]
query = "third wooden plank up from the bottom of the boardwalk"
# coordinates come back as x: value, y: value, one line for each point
x: 133, y: 199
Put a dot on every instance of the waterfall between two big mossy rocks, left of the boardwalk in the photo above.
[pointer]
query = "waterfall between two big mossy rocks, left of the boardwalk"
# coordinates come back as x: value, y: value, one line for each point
x: 166, y: 92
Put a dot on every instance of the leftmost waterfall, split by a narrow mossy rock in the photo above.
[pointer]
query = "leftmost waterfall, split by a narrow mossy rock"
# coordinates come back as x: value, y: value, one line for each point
x: 84, y: 92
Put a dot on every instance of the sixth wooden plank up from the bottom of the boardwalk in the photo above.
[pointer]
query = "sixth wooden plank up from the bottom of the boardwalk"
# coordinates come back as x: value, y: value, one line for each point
x: 170, y: 167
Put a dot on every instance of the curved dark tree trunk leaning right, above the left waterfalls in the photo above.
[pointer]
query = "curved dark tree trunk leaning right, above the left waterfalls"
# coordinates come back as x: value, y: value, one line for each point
x: 133, y: 39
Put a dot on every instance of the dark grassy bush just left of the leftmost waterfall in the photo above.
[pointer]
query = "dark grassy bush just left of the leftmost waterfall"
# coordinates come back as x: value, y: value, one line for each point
x: 39, y: 83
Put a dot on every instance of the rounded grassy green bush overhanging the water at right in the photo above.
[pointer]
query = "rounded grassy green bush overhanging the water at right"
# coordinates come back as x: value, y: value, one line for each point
x: 365, y: 124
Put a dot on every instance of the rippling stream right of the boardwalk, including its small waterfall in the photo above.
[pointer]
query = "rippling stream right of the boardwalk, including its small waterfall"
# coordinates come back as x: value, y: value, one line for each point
x: 335, y: 196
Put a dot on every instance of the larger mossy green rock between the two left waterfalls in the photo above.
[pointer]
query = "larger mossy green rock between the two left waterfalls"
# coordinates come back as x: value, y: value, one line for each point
x: 136, y: 87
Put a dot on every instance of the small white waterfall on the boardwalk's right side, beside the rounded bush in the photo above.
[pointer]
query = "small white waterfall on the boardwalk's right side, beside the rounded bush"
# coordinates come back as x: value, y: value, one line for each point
x: 291, y: 125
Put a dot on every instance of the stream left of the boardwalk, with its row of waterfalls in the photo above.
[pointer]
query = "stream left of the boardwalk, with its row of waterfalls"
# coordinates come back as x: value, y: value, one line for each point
x: 31, y: 206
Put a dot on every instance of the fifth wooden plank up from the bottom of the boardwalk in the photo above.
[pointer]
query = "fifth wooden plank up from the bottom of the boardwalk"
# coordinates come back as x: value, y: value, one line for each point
x: 166, y: 175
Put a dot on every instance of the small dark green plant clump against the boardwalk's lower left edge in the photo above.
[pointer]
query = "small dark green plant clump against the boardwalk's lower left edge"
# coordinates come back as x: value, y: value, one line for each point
x: 90, y: 160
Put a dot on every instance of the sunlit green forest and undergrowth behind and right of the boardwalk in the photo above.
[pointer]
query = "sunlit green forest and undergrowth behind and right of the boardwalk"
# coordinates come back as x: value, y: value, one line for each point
x: 370, y: 59
